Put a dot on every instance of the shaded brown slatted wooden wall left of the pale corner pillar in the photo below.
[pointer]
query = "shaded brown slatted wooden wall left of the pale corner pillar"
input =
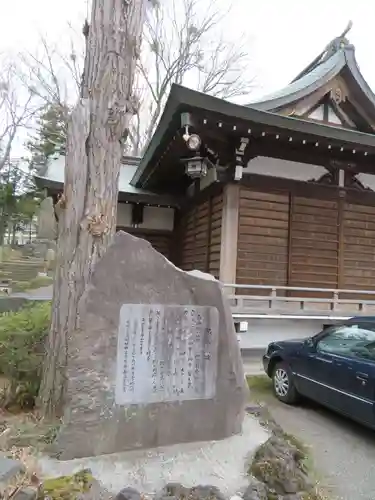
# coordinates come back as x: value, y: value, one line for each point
x: 199, y: 236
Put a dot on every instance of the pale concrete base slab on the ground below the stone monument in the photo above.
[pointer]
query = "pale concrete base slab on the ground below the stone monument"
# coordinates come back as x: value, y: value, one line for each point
x: 219, y: 463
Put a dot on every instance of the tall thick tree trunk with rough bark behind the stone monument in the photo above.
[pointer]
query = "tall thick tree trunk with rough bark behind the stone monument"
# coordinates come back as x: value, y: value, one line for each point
x: 87, y: 210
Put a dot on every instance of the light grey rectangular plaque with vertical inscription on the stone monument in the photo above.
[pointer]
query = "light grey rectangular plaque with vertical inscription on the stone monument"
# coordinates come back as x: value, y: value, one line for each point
x: 166, y: 353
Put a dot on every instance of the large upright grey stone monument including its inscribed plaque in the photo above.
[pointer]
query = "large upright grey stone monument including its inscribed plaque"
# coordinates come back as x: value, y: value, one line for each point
x: 155, y: 360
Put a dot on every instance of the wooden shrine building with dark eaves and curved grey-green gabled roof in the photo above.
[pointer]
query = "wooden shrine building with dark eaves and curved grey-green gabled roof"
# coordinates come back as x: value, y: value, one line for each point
x: 280, y: 192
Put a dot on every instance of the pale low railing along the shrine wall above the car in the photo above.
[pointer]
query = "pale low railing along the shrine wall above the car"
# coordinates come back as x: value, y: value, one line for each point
x: 299, y: 301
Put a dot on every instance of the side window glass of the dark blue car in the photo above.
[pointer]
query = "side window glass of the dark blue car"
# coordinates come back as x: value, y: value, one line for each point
x: 355, y: 341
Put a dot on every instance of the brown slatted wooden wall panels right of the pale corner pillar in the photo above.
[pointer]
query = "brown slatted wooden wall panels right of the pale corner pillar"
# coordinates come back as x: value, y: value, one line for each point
x: 291, y: 240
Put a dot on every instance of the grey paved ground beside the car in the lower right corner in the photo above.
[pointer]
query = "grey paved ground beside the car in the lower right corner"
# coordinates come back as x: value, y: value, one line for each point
x: 343, y: 452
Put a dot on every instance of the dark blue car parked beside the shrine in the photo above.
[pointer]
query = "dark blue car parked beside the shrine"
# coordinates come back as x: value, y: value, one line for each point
x: 336, y: 368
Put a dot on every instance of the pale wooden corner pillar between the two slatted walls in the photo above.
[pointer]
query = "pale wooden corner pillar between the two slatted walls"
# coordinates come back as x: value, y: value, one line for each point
x: 229, y: 234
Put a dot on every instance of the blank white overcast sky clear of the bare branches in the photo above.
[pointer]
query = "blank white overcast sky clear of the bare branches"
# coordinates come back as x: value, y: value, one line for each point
x: 285, y: 34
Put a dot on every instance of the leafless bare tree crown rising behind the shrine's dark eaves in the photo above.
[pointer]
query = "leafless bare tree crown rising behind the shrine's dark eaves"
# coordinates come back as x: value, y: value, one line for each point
x: 182, y: 44
